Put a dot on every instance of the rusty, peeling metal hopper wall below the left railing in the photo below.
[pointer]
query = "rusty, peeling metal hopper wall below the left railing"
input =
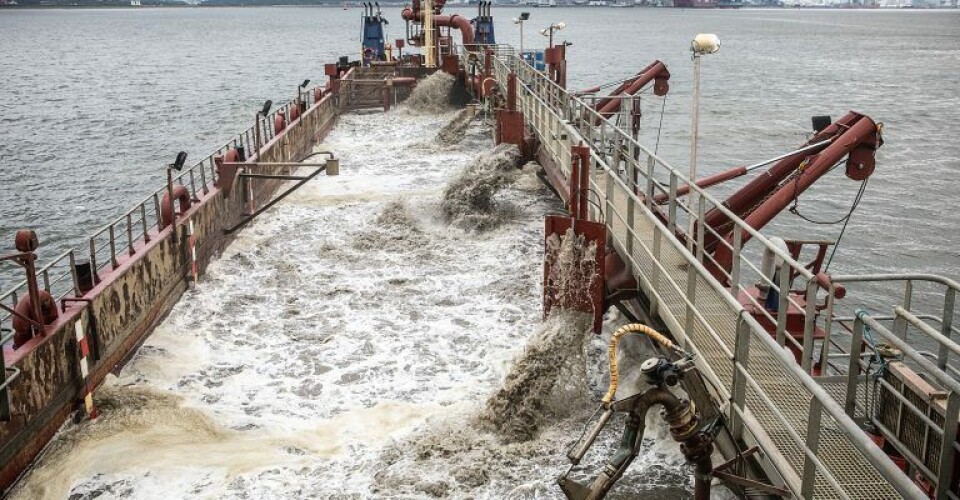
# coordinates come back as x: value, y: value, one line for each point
x: 128, y: 302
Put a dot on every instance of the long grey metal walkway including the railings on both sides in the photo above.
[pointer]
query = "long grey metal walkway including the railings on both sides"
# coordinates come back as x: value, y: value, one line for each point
x: 816, y: 448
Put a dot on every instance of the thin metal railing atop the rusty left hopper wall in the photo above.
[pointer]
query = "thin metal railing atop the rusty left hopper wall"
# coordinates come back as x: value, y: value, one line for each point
x: 126, y: 235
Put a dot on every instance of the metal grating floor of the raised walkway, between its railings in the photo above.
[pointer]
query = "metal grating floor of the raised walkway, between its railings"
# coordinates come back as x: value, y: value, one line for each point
x: 853, y: 472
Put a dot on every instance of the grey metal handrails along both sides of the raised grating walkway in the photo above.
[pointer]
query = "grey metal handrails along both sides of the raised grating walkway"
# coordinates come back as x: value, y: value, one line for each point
x: 539, y: 109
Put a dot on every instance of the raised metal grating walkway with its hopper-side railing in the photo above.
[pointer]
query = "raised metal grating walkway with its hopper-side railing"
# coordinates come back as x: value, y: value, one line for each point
x: 816, y: 449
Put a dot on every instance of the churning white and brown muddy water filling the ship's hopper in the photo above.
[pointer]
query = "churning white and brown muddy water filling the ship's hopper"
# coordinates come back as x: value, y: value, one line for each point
x: 355, y: 343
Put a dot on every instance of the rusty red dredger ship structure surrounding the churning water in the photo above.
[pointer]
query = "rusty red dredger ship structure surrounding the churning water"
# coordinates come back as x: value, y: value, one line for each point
x: 772, y: 383
